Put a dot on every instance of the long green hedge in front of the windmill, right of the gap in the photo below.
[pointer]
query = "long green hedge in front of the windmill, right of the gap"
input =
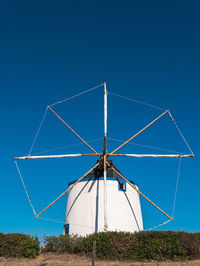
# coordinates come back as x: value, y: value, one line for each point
x: 155, y: 245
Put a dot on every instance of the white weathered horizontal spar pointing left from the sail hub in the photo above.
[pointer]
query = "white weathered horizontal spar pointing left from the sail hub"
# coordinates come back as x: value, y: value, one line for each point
x: 54, y: 156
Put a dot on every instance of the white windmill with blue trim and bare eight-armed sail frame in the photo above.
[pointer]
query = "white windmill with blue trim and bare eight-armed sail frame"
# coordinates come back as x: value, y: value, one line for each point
x: 103, y: 198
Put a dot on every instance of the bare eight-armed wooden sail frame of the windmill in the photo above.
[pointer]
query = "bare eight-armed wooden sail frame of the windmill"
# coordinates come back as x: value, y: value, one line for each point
x: 104, y: 160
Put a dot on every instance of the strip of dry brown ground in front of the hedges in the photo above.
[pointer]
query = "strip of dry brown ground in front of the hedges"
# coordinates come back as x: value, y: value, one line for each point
x: 74, y: 260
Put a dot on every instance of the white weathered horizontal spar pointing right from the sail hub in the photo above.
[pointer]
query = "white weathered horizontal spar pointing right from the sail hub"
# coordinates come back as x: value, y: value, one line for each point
x: 154, y: 155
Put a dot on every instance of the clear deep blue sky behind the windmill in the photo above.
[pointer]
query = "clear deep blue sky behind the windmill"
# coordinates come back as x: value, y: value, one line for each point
x: 50, y: 50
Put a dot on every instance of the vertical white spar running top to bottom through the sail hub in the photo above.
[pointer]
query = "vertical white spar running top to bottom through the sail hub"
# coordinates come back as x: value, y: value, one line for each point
x: 105, y: 158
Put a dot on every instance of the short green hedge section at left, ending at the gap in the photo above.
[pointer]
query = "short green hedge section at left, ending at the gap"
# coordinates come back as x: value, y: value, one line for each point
x: 19, y: 245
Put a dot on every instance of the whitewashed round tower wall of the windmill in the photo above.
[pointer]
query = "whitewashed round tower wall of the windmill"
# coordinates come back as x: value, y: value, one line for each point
x: 85, y: 208
